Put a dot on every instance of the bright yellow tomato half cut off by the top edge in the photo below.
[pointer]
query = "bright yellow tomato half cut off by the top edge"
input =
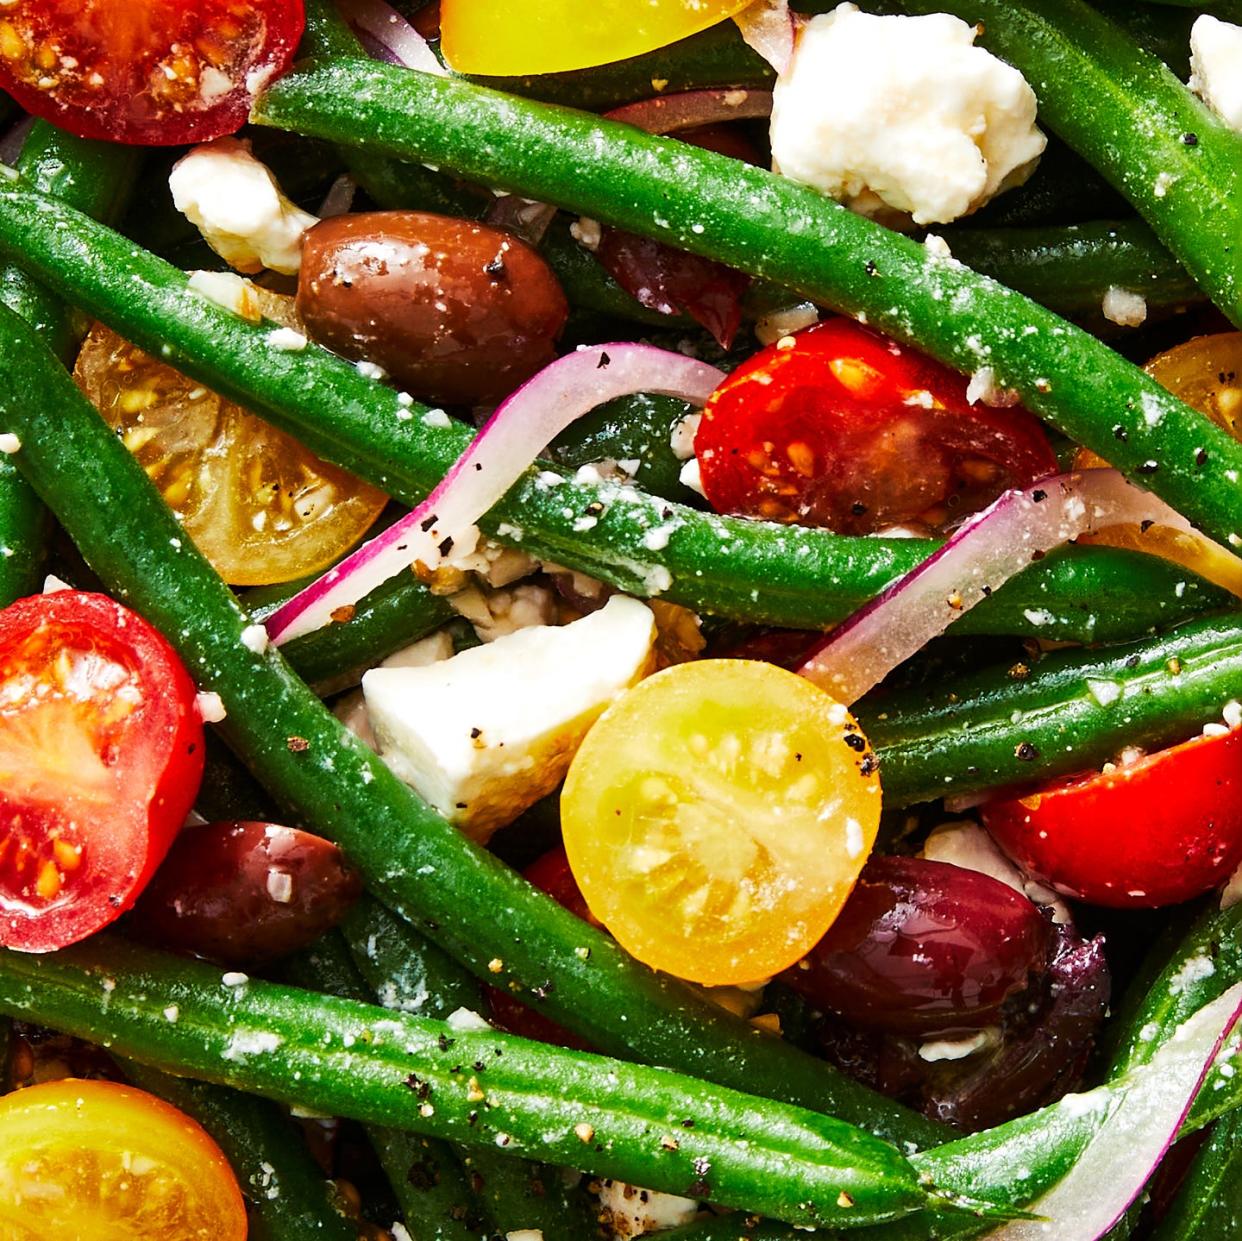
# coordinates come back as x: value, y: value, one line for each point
x: 546, y: 37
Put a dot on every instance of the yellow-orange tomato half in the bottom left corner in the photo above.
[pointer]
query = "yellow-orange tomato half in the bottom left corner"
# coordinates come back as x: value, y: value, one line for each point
x: 95, y: 1160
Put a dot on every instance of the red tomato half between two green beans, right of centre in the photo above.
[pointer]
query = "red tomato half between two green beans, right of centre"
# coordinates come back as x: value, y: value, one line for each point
x: 841, y: 428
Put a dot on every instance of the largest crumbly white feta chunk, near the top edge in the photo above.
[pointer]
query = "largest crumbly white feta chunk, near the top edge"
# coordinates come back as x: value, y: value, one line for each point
x: 904, y: 114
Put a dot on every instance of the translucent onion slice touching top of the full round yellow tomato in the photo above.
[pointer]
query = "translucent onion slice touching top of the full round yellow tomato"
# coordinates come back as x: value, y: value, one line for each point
x: 986, y: 552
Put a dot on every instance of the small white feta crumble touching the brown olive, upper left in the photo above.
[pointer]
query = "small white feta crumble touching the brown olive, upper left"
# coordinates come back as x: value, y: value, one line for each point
x: 239, y: 208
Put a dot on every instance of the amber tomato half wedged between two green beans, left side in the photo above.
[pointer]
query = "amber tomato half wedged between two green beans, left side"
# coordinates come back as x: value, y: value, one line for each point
x: 256, y: 504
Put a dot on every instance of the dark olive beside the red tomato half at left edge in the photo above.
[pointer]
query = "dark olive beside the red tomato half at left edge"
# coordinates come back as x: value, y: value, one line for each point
x: 245, y: 894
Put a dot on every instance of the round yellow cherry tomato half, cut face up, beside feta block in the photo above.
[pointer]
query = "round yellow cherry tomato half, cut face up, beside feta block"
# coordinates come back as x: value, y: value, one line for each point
x: 717, y: 817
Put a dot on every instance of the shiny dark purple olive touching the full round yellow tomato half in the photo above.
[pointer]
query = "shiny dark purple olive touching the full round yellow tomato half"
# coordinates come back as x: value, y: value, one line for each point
x: 925, y: 947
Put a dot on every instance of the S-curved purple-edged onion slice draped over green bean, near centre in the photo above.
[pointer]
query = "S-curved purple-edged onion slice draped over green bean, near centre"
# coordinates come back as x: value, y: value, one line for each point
x: 502, y: 452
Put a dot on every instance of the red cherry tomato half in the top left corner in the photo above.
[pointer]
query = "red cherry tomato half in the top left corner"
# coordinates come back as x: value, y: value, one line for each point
x: 155, y: 73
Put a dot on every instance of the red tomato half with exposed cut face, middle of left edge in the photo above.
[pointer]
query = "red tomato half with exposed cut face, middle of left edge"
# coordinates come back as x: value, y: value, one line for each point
x: 101, y: 756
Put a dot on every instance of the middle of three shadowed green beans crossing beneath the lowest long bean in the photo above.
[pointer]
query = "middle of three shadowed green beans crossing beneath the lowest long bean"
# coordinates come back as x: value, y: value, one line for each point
x: 428, y: 1182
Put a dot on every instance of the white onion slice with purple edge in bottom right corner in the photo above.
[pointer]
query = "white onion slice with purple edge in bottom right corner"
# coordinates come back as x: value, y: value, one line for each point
x: 1146, y: 1112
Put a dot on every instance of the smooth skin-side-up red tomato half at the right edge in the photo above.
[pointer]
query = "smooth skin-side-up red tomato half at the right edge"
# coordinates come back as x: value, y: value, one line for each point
x: 1154, y: 833
